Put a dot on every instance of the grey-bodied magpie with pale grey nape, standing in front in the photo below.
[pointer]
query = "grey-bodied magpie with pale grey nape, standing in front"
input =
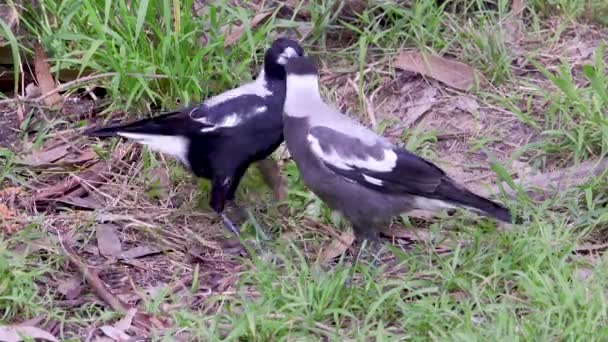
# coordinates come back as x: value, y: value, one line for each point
x: 355, y: 171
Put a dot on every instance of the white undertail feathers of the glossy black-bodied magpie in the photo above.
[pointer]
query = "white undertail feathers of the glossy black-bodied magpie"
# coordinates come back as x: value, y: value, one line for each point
x: 175, y: 146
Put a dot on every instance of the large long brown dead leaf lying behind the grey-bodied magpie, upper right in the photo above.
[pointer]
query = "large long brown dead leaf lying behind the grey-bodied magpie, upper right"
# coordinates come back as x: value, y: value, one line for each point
x: 454, y: 74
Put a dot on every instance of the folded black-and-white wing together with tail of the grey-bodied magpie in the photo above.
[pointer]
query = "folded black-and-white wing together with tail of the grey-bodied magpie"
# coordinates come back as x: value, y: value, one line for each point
x: 387, y: 169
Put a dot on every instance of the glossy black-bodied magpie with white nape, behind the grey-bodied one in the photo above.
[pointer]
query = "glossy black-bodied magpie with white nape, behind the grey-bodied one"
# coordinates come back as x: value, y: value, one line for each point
x: 221, y: 137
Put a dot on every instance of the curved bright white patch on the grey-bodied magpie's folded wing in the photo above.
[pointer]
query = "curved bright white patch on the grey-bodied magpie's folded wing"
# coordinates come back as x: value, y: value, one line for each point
x: 385, y: 164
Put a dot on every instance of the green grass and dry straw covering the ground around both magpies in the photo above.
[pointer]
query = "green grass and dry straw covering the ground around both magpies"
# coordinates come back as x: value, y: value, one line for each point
x: 462, y: 280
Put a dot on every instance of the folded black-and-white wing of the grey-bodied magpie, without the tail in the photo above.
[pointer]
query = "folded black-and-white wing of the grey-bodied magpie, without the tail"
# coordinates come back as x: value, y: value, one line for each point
x: 380, y: 166
